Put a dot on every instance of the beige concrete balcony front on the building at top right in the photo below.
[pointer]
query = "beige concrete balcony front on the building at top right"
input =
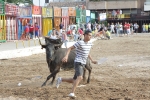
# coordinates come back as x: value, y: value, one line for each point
x: 111, y: 4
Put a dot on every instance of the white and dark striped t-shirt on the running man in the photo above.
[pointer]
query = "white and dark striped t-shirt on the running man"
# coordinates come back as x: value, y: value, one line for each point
x: 82, y: 51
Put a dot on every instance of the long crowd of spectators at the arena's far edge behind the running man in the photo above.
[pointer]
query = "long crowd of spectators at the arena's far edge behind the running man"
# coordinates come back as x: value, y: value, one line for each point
x: 74, y: 32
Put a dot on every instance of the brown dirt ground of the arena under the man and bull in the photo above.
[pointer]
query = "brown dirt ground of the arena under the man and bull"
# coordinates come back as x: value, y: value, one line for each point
x: 124, y: 76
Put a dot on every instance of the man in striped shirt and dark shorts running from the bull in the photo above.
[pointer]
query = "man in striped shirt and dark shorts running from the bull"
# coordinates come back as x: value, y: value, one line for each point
x: 82, y: 53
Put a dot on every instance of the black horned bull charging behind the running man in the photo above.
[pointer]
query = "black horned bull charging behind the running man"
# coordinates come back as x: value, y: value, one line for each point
x: 54, y: 56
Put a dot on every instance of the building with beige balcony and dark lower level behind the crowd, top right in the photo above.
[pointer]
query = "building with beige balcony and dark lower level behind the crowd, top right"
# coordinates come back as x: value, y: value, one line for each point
x: 131, y: 10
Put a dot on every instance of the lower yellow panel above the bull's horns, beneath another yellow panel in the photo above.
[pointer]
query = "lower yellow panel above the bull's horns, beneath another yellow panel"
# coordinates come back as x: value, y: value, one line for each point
x: 47, y: 25
